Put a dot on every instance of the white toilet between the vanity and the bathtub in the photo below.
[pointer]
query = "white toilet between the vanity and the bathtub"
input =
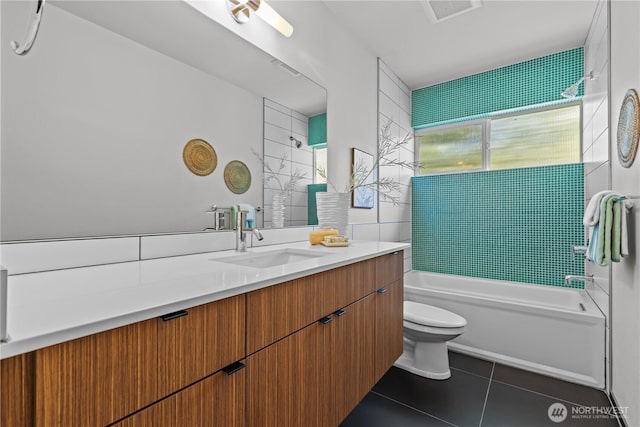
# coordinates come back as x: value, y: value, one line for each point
x: 426, y: 331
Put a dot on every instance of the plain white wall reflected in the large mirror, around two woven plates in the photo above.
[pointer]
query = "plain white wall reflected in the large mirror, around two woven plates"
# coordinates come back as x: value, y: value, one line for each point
x: 93, y: 128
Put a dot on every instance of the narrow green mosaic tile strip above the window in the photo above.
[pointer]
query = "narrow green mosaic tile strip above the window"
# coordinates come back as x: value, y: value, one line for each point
x: 532, y: 82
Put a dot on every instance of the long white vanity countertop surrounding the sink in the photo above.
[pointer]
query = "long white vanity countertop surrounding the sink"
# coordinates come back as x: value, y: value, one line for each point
x: 52, y: 307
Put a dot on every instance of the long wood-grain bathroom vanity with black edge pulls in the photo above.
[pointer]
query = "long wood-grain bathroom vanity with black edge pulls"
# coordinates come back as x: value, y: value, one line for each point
x: 300, y: 350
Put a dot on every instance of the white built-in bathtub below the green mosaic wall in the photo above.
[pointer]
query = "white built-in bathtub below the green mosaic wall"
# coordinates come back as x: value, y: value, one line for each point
x: 558, y: 332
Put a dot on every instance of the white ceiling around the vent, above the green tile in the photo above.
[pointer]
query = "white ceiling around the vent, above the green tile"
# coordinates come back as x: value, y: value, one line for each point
x: 499, y: 33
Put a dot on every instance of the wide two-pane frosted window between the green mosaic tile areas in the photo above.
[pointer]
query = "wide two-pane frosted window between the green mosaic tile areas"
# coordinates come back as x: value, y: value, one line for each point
x: 538, y: 138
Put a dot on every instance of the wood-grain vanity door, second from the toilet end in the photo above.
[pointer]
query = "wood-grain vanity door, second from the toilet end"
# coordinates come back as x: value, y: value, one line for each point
x: 353, y: 353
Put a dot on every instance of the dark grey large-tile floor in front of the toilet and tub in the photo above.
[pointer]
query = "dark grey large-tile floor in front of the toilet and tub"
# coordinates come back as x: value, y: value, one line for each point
x: 479, y: 393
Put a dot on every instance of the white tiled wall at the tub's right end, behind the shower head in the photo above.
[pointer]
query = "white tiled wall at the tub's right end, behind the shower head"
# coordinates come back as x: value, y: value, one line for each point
x: 595, y: 146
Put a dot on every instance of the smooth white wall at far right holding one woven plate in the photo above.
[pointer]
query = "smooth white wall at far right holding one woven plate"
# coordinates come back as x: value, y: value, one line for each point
x: 625, y: 278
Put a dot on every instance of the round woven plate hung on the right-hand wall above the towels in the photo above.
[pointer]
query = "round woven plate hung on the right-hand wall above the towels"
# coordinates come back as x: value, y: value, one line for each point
x: 628, y: 128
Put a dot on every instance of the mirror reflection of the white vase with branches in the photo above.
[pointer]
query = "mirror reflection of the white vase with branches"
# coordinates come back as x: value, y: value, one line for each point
x: 282, y: 184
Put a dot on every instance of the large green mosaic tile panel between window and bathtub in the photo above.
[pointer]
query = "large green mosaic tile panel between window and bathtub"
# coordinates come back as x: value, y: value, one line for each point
x: 516, y: 224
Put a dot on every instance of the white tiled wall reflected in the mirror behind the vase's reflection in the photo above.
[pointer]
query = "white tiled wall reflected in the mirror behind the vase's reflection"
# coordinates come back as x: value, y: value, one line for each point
x: 280, y: 123
